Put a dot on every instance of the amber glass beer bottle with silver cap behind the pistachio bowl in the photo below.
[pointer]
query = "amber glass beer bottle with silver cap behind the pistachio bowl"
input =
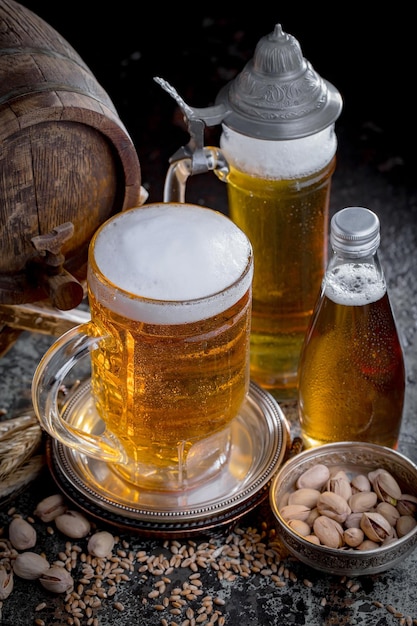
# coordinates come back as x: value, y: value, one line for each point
x: 351, y: 372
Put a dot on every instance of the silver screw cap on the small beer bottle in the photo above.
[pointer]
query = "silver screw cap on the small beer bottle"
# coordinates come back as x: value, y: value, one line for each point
x: 355, y: 231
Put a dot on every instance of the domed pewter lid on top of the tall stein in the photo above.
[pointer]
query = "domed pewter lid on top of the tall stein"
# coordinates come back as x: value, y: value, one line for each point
x: 278, y: 94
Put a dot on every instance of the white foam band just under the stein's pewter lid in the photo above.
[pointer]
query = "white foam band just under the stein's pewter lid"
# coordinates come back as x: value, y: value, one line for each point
x: 277, y: 160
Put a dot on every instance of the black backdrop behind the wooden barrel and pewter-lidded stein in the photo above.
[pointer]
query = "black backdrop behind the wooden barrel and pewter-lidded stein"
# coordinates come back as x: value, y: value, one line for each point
x: 367, y: 54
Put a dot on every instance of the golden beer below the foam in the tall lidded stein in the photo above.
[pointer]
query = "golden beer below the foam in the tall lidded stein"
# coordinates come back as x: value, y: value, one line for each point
x: 286, y: 221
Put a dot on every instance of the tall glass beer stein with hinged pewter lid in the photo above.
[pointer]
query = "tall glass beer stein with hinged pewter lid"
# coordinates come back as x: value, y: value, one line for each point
x: 277, y: 156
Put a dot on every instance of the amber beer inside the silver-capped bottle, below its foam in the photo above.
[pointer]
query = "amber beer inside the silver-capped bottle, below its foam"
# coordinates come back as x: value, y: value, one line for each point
x: 352, y: 374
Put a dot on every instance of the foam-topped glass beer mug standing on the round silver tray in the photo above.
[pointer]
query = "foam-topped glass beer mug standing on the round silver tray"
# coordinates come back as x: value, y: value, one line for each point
x: 169, y: 288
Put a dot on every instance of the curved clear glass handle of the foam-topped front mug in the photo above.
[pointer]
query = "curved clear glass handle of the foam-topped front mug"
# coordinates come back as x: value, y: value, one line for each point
x: 49, y: 377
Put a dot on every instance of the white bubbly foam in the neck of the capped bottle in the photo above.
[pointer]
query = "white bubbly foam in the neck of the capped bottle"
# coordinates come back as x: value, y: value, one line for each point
x: 354, y: 285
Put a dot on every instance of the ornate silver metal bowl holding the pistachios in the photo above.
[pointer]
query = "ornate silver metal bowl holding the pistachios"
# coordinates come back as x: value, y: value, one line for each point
x: 354, y: 458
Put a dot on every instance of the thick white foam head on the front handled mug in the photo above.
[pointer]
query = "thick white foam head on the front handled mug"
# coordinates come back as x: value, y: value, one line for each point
x: 171, y: 253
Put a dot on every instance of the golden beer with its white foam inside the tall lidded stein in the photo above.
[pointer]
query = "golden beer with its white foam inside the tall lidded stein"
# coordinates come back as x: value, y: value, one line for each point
x: 278, y: 194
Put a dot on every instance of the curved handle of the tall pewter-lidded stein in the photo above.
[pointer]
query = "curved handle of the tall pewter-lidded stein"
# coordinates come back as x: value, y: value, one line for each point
x: 202, y: 160
